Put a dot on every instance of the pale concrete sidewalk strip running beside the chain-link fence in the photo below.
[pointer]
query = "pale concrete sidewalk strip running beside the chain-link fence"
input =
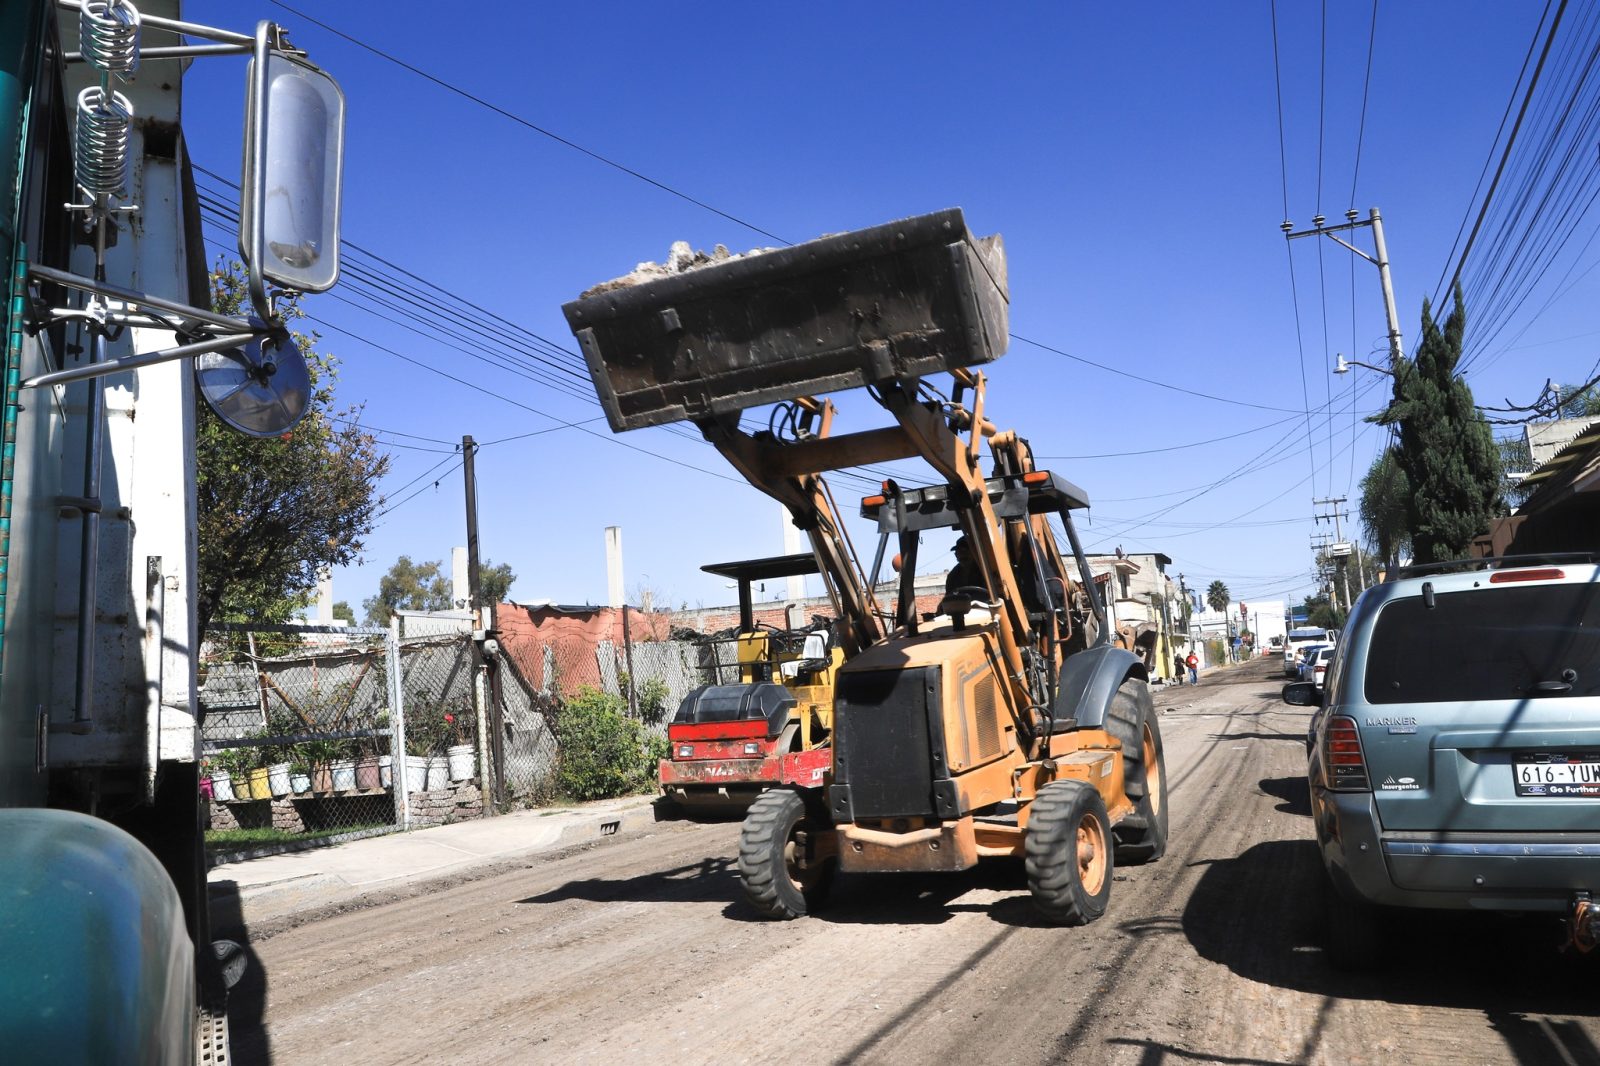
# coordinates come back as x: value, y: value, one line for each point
x: 282, y: 886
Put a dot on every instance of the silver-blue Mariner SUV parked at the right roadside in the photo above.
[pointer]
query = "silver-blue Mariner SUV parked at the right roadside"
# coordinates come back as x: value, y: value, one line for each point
x: 1455, y: 751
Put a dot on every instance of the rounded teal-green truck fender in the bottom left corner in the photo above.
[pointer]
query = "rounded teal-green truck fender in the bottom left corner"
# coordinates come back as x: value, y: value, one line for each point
x: 97, y: 958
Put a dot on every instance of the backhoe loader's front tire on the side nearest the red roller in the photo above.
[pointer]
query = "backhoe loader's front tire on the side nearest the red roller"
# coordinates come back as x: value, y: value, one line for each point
x: 772, y: 868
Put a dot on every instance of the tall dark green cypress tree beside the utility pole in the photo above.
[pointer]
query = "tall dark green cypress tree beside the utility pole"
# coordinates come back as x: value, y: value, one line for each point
x: 1446, y: 449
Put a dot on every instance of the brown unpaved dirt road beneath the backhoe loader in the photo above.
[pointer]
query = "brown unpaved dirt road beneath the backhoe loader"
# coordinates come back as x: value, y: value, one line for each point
x: 639, y: 950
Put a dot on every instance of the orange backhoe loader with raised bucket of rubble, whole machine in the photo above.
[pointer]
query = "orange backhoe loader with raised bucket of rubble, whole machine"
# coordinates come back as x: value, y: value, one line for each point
x: 1007, y: 723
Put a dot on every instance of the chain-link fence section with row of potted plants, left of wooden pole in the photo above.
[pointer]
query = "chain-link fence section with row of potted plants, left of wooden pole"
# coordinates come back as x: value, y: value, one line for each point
x: 310, y: 732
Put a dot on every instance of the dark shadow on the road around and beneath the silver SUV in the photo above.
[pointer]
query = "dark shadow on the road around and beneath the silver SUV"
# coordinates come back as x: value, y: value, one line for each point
x: 1260, y: 915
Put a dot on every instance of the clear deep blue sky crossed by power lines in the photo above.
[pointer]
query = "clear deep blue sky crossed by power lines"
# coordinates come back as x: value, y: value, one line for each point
x: 1129, y: 154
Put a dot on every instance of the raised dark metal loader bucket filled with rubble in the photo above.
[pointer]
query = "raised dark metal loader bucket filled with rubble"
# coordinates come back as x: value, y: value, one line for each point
x: 902, y: 300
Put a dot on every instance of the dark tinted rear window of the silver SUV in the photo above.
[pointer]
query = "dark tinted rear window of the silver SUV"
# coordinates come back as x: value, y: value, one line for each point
x: 1487, y: 644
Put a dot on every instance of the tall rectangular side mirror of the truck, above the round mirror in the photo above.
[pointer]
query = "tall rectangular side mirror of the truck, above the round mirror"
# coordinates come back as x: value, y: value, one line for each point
x: 289, y: 220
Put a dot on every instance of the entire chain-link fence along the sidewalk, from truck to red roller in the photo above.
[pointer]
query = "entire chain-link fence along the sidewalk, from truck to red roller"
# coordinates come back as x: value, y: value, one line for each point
x: 311, y: 732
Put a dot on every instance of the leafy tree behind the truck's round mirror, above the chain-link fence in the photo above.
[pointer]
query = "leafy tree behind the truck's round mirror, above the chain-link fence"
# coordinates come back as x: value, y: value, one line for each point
x: 274, y: 513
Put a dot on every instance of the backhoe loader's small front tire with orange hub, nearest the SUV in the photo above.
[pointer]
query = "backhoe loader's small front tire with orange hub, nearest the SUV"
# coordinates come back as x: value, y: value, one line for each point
x: 1070, y: 856
